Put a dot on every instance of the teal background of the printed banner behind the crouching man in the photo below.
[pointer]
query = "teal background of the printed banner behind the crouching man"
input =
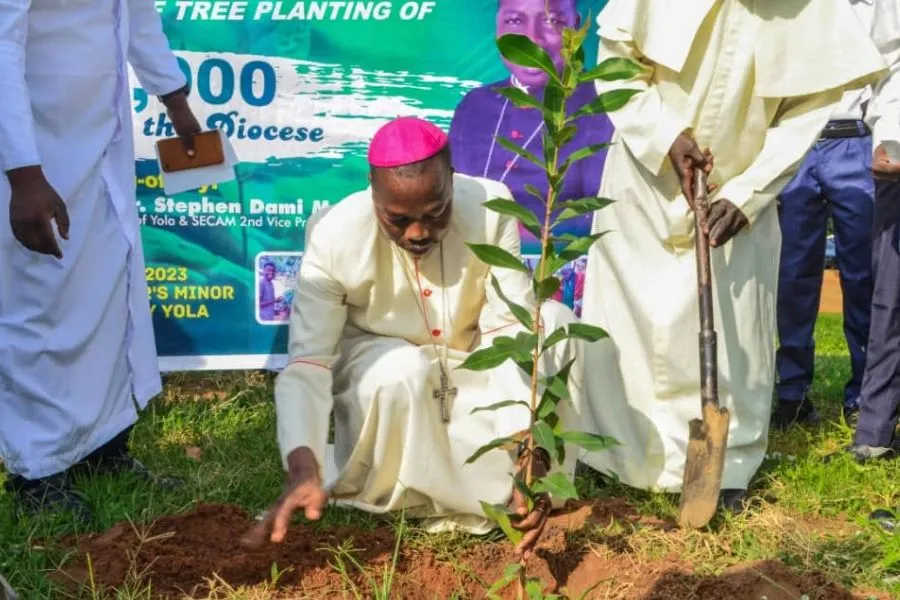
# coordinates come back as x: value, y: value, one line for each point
x: 430, y: 63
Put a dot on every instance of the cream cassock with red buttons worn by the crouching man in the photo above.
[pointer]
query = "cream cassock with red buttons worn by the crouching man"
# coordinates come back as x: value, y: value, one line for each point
x: 360, y: 345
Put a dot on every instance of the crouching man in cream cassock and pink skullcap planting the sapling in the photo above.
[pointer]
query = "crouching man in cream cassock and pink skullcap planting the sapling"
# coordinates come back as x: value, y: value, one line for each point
x: 389, y: 302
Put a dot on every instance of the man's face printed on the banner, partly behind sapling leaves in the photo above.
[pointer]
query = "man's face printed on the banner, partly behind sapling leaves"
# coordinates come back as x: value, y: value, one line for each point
x: 542, y: 21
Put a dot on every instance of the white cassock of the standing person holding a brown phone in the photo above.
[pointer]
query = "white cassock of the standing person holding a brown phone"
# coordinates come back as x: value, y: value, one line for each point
x: 76, y: 338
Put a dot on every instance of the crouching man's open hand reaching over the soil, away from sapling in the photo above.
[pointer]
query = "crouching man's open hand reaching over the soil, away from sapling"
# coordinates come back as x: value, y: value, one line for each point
x: 304, y: 492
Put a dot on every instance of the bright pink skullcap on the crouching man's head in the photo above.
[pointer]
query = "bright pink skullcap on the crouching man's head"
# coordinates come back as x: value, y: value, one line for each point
x: 404, y: 141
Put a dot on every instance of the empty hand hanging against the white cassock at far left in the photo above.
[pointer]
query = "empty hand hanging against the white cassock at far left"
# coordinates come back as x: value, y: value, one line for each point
x: 33, y: 204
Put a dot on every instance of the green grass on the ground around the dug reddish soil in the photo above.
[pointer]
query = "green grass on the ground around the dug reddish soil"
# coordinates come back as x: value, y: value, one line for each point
x: 813, y: 517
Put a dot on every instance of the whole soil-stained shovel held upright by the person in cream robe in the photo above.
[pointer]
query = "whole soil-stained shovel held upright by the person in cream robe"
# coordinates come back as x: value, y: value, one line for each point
x: 708, y: 436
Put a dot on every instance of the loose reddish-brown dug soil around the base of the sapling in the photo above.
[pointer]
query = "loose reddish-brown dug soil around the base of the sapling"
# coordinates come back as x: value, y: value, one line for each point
x: 180, y: 555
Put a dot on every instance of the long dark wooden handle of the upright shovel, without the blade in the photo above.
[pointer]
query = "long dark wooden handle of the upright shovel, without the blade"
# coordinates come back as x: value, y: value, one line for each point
x: 708, y: 365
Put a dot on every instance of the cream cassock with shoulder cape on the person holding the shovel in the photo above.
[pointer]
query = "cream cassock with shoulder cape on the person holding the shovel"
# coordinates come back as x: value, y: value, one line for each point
x: 755, y: 81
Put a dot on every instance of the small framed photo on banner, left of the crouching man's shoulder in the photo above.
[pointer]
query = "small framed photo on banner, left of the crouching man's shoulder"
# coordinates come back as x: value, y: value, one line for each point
x: 276, y: 280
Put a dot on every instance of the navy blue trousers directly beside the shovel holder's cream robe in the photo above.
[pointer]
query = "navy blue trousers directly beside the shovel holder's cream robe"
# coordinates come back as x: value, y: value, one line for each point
x: 835, y: 179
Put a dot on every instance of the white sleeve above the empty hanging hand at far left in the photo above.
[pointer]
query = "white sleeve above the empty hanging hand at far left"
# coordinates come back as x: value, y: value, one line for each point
x: 18, y: 147
